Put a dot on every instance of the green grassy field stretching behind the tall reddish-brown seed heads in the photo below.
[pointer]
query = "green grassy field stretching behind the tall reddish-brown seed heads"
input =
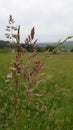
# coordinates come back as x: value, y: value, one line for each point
x: 57, y: 89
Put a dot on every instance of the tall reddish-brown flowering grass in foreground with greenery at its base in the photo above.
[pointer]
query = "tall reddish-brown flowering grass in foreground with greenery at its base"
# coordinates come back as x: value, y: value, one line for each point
x: 21, y: 97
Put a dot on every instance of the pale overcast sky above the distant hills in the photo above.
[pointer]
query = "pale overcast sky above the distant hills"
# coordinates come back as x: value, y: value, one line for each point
x: 52, y: 19
